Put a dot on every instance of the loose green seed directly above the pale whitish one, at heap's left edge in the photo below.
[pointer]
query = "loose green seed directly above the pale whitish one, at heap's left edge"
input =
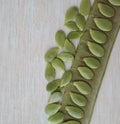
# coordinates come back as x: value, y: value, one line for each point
x: 52, y: 86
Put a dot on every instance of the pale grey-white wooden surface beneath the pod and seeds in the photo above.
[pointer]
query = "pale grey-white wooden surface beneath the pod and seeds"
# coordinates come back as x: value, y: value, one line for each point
x: 27, y: 29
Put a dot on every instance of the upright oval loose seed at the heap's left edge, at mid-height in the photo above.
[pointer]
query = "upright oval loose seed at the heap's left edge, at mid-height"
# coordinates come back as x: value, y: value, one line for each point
x: 50, y: 72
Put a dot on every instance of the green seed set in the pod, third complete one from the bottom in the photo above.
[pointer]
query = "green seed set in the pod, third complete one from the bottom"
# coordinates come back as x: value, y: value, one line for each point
x: 82, y: 87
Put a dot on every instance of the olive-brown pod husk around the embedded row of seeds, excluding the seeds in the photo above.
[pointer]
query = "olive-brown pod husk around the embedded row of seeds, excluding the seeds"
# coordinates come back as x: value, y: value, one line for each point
x: 83, y: 50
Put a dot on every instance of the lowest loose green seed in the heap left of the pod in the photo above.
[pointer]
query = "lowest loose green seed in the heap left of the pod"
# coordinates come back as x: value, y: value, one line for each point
x: 56, y: 118
